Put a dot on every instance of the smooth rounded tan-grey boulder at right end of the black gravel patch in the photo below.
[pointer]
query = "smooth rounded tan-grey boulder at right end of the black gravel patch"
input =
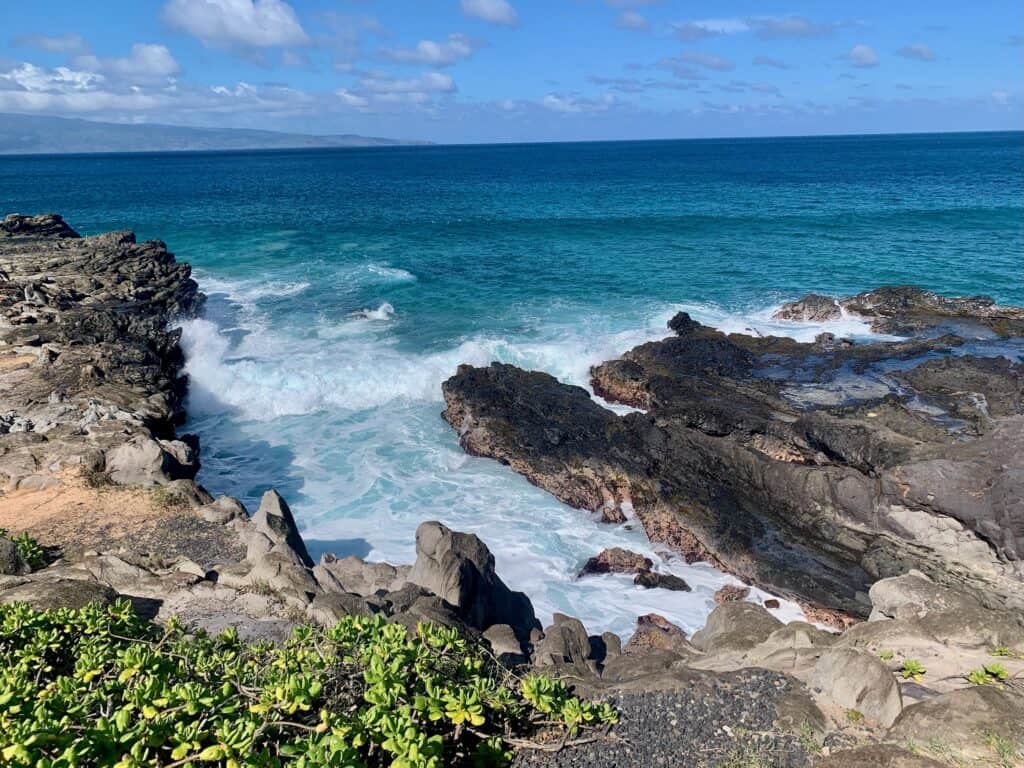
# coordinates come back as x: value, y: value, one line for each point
x: 859, y: 681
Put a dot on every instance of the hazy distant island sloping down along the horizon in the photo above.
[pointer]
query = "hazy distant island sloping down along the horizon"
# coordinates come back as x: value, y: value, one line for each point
x: 30, y: 135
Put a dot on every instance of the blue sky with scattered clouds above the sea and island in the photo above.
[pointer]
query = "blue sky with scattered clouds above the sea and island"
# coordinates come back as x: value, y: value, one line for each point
x: 492, y: 71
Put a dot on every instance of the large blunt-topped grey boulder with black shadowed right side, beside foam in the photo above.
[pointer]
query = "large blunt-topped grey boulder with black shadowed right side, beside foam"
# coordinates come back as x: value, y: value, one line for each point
x: 460, y: 570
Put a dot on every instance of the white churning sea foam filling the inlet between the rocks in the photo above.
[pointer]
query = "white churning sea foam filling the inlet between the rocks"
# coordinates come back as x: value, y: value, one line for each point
x: 359, y: 419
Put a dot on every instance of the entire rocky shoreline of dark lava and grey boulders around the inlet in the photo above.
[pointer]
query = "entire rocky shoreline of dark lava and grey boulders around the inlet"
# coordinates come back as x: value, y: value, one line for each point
x: 91, y: 464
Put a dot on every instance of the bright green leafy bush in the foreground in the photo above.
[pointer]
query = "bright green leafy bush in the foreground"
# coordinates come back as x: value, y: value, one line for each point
x: 100, y: 687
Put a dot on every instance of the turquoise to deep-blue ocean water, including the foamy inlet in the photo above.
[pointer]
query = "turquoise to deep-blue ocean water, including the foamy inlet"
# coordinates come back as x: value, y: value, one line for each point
x: 347, y: 285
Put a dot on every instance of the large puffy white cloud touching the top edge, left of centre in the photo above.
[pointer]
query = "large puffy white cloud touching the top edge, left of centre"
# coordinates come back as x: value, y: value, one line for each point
x: 252, y: 24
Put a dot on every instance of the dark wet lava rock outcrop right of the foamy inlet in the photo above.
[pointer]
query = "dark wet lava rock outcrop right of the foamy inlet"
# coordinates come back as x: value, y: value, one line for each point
x: 810, y: 471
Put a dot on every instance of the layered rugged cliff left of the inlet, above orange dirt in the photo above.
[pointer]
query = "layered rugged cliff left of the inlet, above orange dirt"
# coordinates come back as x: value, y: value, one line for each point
x: 92, y: 374
